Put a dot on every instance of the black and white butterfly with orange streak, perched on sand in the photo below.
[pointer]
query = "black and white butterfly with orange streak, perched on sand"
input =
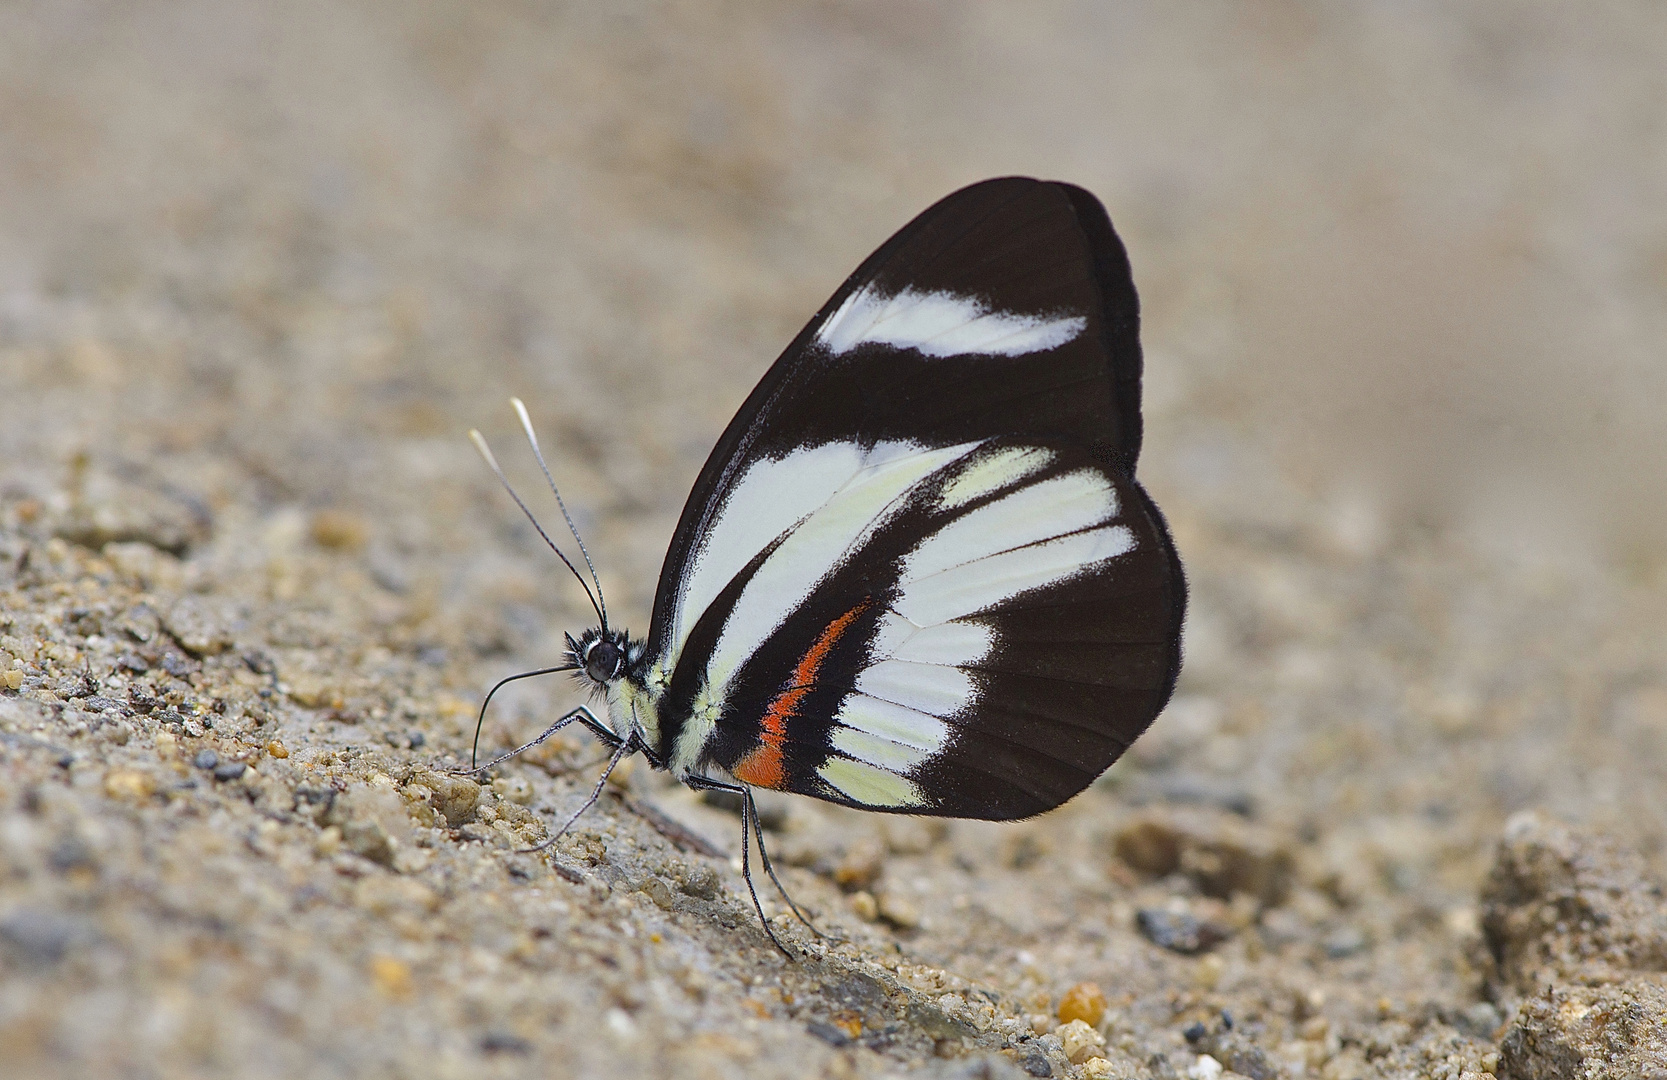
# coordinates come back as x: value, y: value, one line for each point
x: 918, y: 574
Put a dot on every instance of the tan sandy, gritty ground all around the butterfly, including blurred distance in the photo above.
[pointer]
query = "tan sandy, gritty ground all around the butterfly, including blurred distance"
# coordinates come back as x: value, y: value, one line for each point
x: 264, y: 266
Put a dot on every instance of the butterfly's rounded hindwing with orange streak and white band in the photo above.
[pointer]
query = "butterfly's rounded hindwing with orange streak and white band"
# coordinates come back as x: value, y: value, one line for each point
x: 961, y: 661
